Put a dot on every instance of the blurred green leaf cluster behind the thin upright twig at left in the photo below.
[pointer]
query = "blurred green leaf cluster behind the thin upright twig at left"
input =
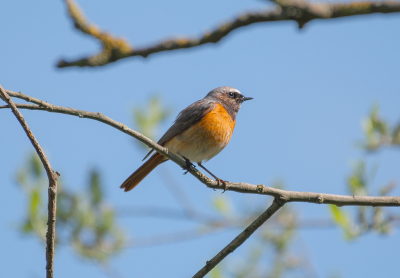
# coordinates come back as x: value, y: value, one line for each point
x: 84, y: 220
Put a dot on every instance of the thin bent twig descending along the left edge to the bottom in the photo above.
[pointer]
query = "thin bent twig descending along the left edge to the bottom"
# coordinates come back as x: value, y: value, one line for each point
x: 52, y: 191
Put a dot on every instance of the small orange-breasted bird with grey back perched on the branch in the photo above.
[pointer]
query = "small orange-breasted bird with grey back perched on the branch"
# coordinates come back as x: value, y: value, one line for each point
x: 200, y: 132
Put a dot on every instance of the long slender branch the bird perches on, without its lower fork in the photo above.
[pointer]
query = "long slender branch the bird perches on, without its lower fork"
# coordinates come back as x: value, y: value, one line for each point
x: 283, y: 195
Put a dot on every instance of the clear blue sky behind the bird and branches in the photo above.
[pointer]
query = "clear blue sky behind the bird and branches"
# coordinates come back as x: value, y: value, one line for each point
x: 311, y: 90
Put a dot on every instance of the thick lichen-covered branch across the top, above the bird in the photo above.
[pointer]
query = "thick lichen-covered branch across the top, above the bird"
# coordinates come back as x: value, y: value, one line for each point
x: 114, y: 49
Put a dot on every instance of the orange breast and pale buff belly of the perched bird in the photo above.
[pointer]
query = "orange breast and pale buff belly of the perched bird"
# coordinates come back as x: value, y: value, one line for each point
x: 206, y: 138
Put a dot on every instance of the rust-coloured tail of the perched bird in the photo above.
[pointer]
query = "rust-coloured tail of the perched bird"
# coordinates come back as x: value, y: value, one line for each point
x: 134, y: 179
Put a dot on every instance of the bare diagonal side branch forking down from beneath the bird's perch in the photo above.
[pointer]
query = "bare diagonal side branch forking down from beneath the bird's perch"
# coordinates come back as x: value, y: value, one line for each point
x: 242, y: 237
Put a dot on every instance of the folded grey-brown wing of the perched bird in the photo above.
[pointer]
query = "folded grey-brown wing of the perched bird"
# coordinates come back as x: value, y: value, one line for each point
x: 185, y: 119
